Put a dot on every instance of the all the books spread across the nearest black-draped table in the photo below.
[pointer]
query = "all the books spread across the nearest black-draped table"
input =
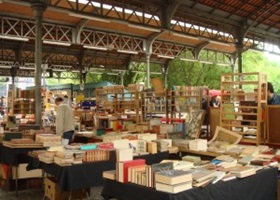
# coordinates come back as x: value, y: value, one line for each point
x: 174, y: 176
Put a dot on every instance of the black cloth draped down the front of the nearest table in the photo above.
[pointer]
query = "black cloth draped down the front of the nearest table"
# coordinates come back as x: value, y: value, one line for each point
x: 260, y: 186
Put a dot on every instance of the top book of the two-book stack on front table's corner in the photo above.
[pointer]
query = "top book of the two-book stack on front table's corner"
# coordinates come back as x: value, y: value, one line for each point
x: 173, y: 177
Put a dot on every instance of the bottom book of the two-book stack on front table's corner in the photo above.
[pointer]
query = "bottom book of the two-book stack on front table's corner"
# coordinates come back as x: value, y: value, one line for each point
x: 173, y: 188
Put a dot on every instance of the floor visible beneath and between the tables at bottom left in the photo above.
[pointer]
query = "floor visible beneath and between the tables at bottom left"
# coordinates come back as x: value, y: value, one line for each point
x: 38, y: 194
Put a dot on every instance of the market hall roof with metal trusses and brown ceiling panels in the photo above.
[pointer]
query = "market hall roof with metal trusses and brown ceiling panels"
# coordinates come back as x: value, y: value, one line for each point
x: 110, y: 34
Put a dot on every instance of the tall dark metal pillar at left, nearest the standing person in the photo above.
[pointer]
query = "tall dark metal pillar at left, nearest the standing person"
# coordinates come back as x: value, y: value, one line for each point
x: 38, y: 7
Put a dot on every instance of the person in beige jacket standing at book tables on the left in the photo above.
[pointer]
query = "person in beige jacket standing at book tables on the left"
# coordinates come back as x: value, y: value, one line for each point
x: 65, y: 121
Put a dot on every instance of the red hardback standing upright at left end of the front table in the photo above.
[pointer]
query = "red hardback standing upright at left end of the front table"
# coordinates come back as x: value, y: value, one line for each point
x: 122, y: 168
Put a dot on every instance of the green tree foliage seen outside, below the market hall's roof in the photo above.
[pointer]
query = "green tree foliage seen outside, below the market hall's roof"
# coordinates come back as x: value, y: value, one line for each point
x: 188, y: 73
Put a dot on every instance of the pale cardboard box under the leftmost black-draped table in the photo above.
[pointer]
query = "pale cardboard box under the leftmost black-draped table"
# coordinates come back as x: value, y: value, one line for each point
x: 23, y: 173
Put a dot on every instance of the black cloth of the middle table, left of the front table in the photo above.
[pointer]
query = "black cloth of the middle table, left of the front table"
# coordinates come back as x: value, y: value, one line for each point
x: 84, y: 175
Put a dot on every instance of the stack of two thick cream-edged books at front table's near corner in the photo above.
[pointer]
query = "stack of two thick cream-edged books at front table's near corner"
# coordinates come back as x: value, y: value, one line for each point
x: 173, y: 181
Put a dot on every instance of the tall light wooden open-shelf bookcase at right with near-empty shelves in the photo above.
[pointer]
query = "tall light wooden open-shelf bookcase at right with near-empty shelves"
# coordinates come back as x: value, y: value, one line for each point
x: 243, y: 103
